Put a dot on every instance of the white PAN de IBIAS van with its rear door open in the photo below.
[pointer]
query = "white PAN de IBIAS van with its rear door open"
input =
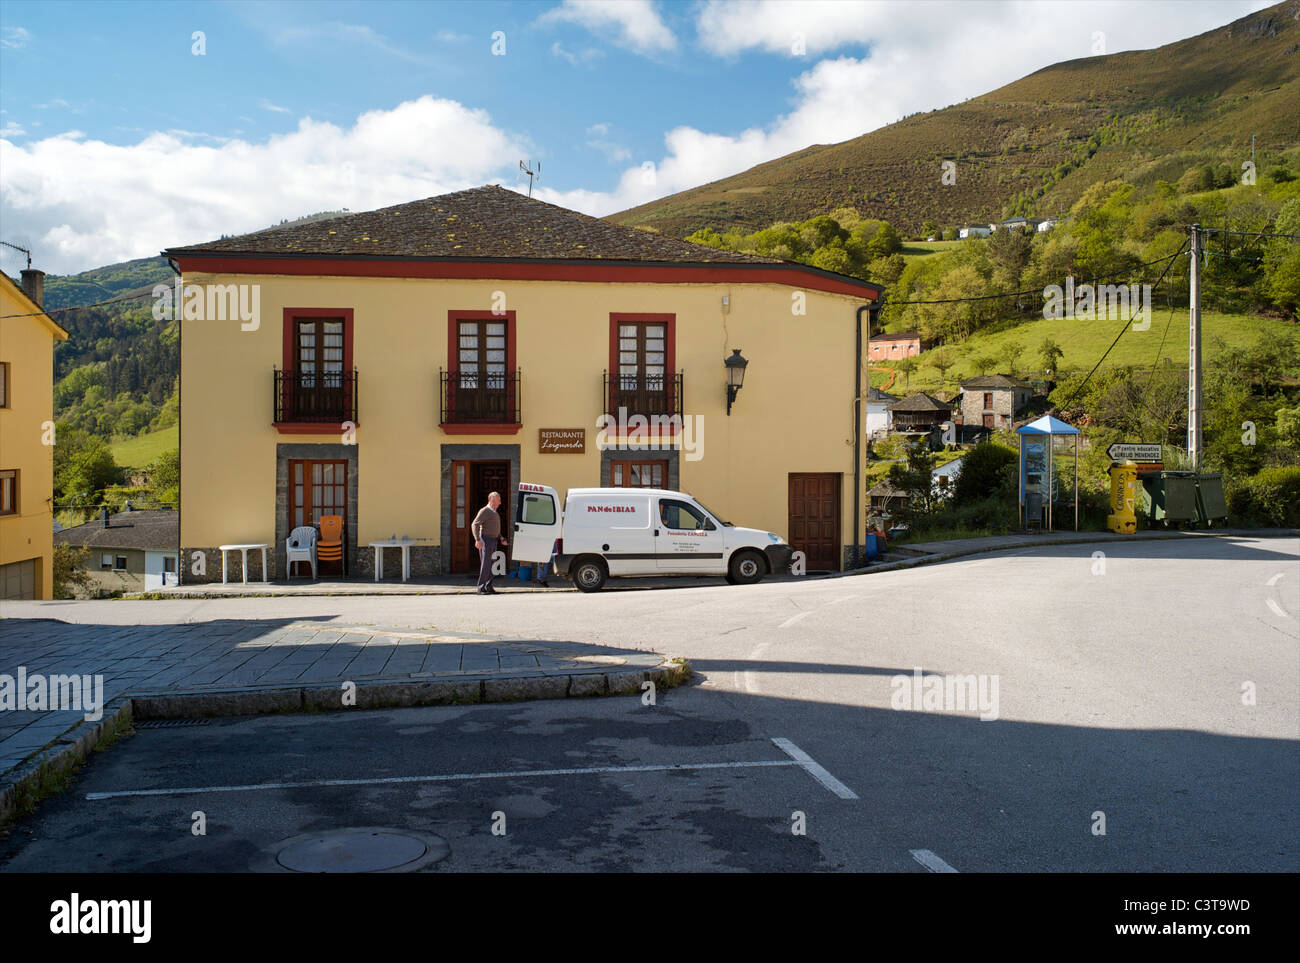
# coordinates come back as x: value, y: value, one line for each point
x: 604, y: 533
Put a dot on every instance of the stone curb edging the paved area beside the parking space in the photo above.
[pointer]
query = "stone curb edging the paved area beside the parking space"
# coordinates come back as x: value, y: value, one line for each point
x: 21, y: 791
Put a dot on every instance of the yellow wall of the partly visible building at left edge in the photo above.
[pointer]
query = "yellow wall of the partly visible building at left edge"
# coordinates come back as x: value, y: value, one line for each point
x: 27, y: 345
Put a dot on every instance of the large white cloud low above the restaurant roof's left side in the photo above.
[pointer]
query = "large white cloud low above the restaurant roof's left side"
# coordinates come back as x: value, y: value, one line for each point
x: 86, y: 203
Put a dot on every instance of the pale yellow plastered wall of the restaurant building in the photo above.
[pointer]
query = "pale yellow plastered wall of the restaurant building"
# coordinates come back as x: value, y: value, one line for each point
x: 794, y: 415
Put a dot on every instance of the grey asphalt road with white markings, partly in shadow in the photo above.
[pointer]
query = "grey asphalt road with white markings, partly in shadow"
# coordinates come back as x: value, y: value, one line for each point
x: 1156, y: 689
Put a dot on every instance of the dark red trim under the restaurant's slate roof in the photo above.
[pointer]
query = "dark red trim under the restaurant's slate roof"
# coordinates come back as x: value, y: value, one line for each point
x: 794, y: 275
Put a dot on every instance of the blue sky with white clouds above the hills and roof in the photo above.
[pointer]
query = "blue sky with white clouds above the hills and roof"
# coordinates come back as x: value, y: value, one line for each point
x: 119, y: 138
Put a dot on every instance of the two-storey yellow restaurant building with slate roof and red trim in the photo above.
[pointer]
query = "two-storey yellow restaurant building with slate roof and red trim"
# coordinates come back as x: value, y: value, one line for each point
x: 397, y: 366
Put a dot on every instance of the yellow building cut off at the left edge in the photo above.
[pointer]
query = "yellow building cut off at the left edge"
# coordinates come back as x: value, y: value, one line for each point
x: 28, y: 340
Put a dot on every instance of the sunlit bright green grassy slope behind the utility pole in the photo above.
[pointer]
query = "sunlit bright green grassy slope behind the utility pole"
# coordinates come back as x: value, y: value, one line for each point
x: 1085, y: 342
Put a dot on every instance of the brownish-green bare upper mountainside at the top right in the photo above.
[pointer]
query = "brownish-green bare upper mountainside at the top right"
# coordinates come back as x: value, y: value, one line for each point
x: 1035, y: 146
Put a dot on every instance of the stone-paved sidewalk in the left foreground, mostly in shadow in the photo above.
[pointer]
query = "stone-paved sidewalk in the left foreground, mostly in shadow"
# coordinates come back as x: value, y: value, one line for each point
x: 267, y: 656
